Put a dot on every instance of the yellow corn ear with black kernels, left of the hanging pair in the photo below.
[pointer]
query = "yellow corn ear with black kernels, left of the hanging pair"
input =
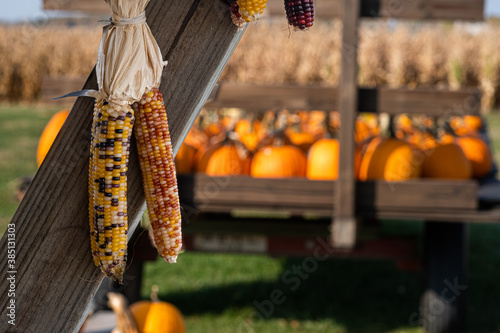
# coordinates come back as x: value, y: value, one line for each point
x: 109, y: 154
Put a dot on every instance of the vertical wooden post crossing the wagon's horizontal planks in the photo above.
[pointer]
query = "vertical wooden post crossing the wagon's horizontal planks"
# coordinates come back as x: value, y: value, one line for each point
x: 343, y: 227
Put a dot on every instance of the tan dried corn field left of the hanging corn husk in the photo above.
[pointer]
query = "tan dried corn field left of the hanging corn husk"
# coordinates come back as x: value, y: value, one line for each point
x: 29, y: 53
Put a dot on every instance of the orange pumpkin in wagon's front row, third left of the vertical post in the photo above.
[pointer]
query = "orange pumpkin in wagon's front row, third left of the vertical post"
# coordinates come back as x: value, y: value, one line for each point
x: 227, y: 160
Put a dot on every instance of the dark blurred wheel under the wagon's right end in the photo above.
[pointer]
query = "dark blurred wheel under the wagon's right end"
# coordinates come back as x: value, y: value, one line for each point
x: 445, y: 255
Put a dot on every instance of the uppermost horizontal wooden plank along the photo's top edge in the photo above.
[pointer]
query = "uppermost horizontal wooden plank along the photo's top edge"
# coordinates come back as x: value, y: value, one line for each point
x: 472, y: 10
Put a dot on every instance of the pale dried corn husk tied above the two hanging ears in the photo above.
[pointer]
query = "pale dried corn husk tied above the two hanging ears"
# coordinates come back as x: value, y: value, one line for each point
x: 129, y: 61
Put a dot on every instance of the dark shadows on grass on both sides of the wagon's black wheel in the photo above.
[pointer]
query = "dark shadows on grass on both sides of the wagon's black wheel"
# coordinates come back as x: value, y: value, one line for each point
x: 361, y: 295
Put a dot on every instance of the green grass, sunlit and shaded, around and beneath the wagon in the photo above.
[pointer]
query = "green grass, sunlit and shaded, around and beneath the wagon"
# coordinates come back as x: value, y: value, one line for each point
x: 216, y: 292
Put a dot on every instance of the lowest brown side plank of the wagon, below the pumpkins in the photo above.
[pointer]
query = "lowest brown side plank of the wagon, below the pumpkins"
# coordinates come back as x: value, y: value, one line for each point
x: 203, y: 193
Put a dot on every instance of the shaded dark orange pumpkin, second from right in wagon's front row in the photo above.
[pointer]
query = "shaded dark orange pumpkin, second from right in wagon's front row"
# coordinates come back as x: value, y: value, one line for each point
x: 446, y: 161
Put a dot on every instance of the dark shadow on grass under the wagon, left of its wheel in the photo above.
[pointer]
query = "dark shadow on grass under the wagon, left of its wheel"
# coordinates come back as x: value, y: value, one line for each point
x: 363, y: 296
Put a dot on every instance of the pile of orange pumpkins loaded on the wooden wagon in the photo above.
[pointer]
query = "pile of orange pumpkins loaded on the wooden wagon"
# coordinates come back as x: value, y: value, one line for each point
x: 303, y: 144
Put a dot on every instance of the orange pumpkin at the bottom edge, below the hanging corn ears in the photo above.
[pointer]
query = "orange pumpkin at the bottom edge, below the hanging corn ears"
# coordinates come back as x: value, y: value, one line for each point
x: 157, y: 317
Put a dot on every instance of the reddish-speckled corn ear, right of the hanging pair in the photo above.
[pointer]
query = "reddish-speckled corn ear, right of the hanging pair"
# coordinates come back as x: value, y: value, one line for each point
x: 158, y: 171
